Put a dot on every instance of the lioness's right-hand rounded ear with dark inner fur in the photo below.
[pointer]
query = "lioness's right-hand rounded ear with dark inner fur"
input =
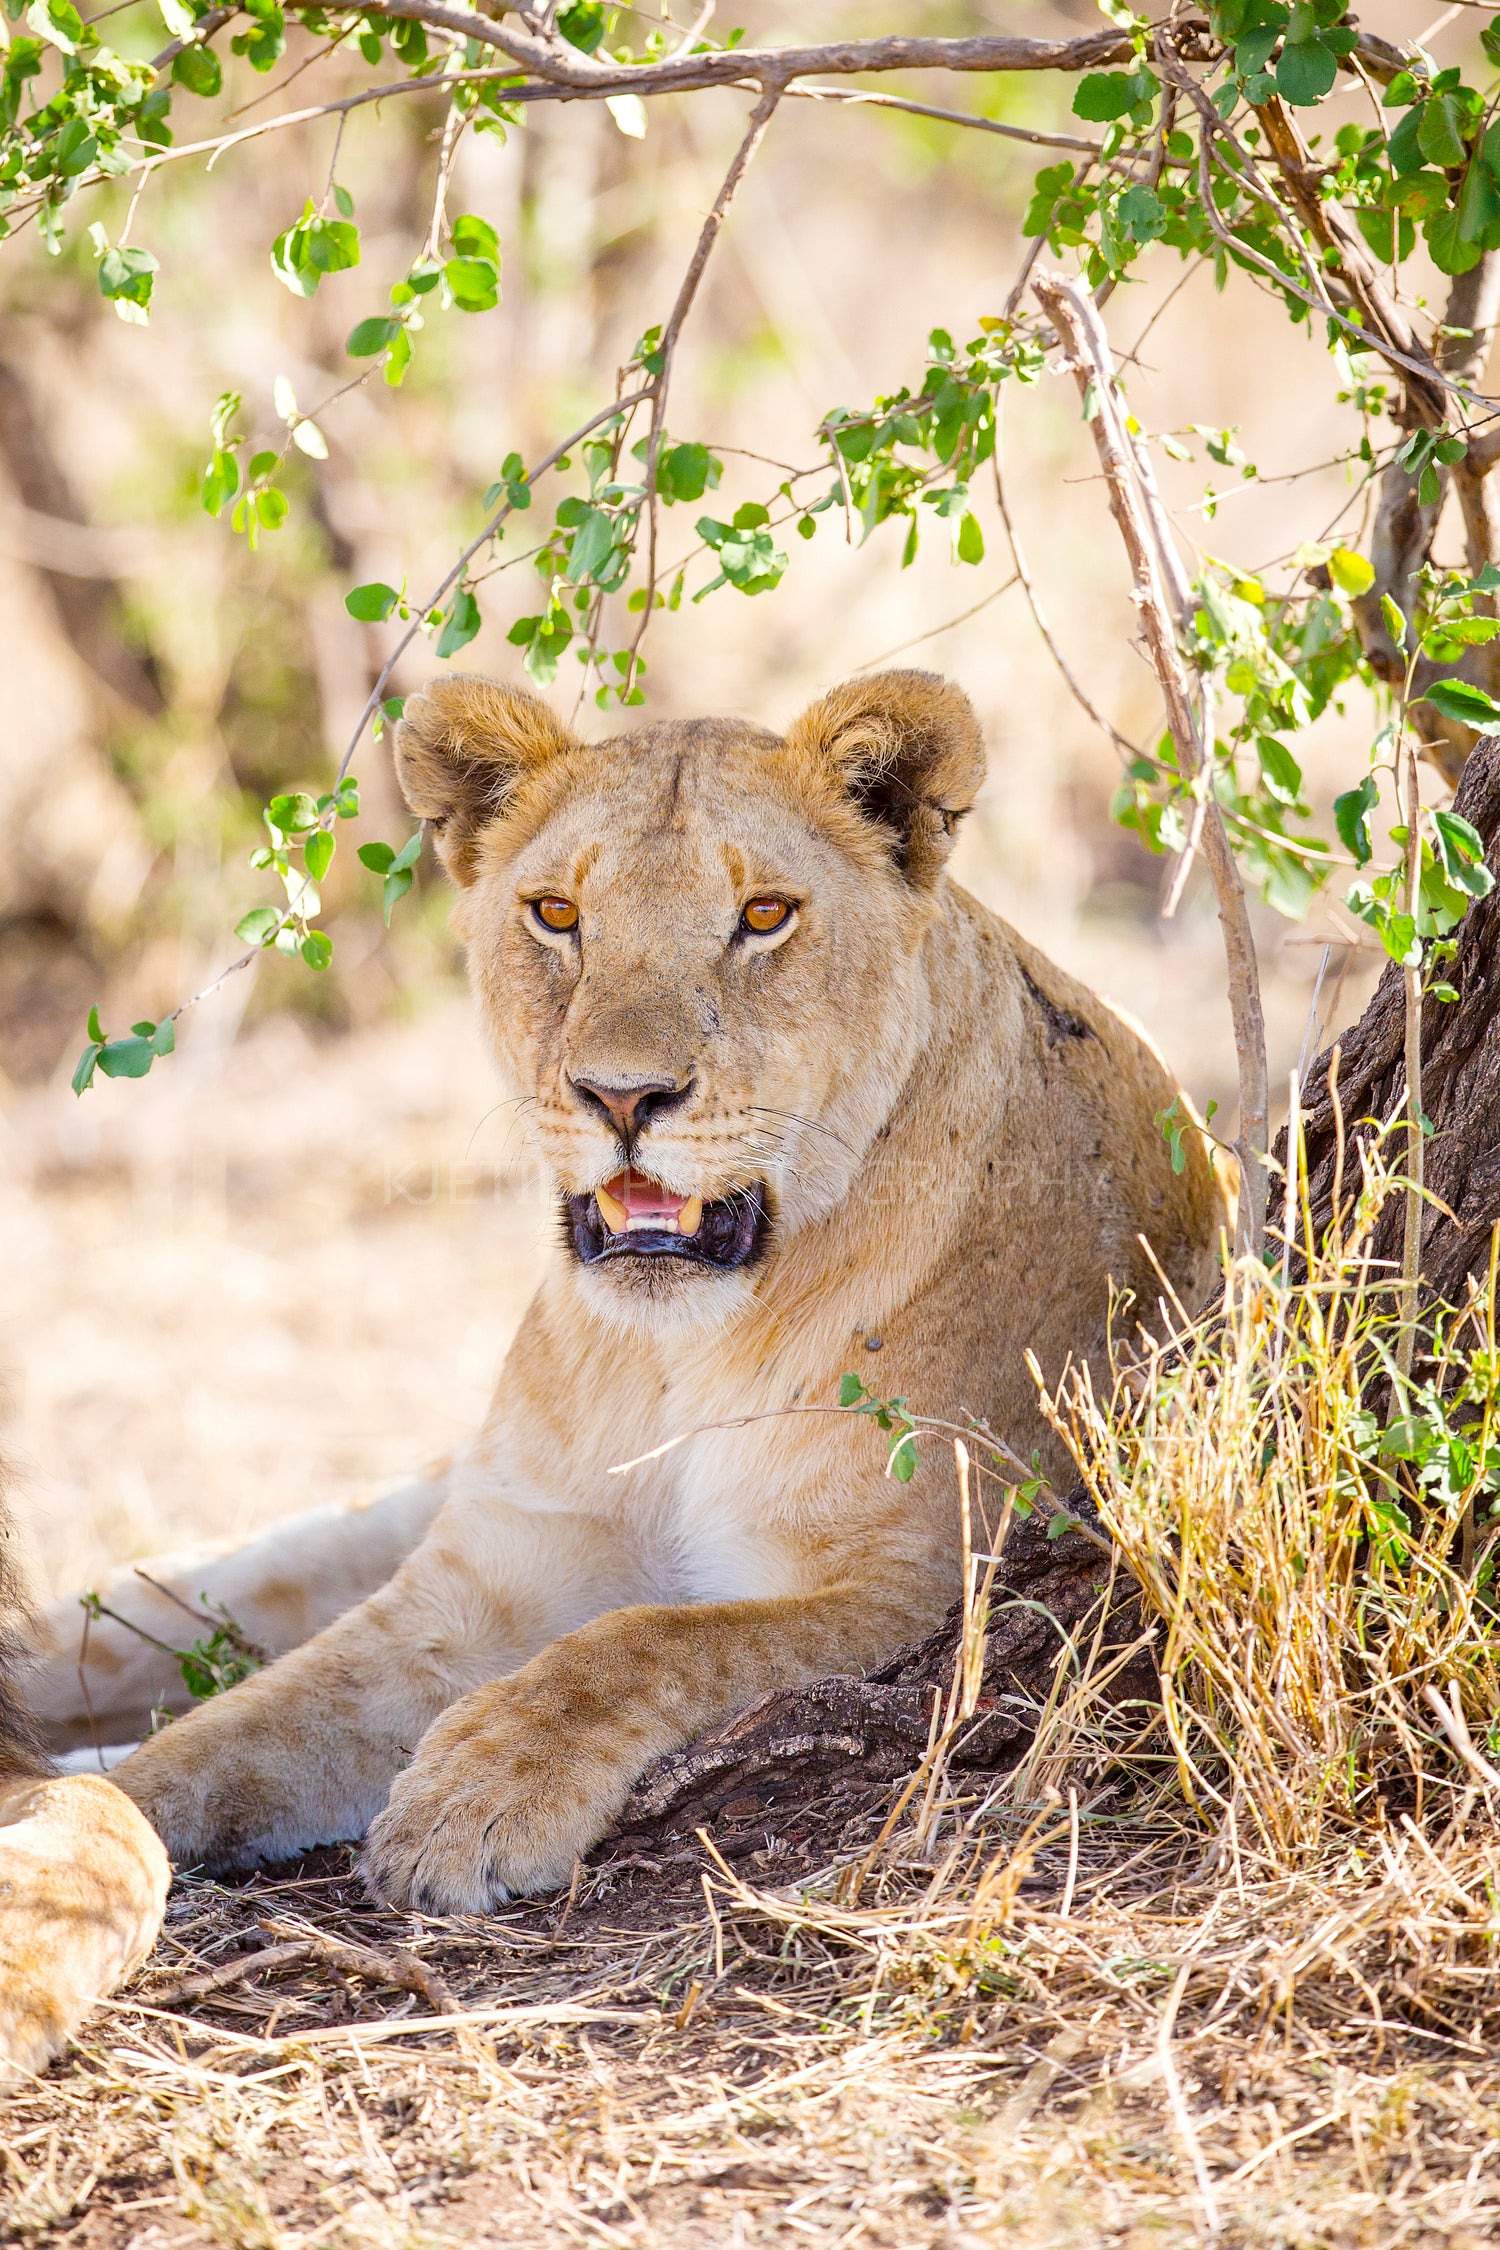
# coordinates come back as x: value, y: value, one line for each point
x: 910, y: 753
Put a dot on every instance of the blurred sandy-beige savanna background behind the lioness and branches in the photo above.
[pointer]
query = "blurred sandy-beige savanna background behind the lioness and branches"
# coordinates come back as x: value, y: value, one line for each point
x: 287, y: 1266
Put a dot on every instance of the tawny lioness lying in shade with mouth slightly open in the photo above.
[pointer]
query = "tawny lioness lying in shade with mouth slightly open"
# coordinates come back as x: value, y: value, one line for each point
x: 811, y: 1108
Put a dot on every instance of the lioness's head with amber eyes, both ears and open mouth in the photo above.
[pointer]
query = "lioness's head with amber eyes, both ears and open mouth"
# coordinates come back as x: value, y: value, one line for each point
x: 698, y: 951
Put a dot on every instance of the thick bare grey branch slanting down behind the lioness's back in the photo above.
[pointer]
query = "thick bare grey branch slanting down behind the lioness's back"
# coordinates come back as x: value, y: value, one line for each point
x: 1159, y: 593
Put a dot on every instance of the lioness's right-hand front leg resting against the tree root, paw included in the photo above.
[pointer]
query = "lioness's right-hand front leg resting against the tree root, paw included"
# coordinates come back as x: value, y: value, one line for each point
x: 521, y: 1779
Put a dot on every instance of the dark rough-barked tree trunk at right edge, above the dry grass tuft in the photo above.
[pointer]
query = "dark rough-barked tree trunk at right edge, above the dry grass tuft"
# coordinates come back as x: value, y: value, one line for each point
x: 1461, y: 1083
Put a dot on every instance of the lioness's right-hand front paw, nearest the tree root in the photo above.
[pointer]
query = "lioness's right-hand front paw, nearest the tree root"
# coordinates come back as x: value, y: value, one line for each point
x: 491, y: 1808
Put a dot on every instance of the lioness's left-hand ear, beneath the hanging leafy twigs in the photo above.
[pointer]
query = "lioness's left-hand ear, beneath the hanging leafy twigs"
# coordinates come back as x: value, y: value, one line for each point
x: 462, y: 748
